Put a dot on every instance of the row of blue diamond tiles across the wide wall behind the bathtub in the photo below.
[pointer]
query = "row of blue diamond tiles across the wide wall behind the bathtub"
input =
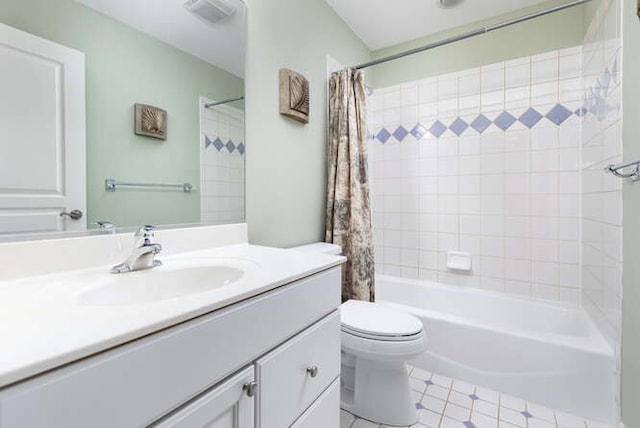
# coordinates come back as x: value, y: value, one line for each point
x: 505, y: 120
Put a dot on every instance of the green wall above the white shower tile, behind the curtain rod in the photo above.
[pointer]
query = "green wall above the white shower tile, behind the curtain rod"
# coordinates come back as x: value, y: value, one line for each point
x: 556, y: 31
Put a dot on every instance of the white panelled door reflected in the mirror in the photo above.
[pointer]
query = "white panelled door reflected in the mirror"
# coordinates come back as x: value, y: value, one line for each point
x: 42, y: 134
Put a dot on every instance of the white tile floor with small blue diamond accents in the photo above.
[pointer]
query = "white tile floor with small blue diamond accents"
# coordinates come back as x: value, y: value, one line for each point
x: 443, y: 402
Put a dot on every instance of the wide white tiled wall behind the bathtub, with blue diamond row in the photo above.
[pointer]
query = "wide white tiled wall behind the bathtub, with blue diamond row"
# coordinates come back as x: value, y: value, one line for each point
x: 485, y: 161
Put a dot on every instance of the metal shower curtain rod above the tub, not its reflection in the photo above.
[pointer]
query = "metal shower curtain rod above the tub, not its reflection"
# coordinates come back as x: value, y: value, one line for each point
x: 471, y: 34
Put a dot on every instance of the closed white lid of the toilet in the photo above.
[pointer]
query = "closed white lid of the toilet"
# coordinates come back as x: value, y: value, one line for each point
x: 371, y: 319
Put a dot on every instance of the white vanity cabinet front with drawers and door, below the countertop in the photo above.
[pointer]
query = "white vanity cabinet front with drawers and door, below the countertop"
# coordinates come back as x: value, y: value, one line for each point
x: 286, y: 340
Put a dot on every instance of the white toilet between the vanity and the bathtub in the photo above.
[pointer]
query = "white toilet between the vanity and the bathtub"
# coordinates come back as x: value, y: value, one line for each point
x: 376, y: 343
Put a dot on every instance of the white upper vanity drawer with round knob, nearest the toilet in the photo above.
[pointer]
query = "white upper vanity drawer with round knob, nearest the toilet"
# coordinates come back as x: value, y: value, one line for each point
x: 285, y: 380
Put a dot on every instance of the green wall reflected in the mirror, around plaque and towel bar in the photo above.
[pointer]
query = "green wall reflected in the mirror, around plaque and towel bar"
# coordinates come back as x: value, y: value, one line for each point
x: 123, y: 67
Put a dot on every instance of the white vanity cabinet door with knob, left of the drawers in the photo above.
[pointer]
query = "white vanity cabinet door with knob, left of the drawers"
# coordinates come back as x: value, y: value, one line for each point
x: 227, y: 405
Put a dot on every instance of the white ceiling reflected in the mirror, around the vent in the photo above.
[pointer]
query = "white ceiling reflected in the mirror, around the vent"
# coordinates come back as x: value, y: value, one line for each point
x: 221, y: 44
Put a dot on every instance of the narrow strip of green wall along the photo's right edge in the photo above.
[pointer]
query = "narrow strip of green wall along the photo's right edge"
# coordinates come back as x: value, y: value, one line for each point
x: 631, y: 214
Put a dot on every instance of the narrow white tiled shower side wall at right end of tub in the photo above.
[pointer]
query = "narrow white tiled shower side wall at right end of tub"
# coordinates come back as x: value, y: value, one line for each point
x: 602, y: 193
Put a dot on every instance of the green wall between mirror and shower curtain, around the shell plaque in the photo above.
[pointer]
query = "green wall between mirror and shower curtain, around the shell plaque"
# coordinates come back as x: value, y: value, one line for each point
x: 286, y: 161
